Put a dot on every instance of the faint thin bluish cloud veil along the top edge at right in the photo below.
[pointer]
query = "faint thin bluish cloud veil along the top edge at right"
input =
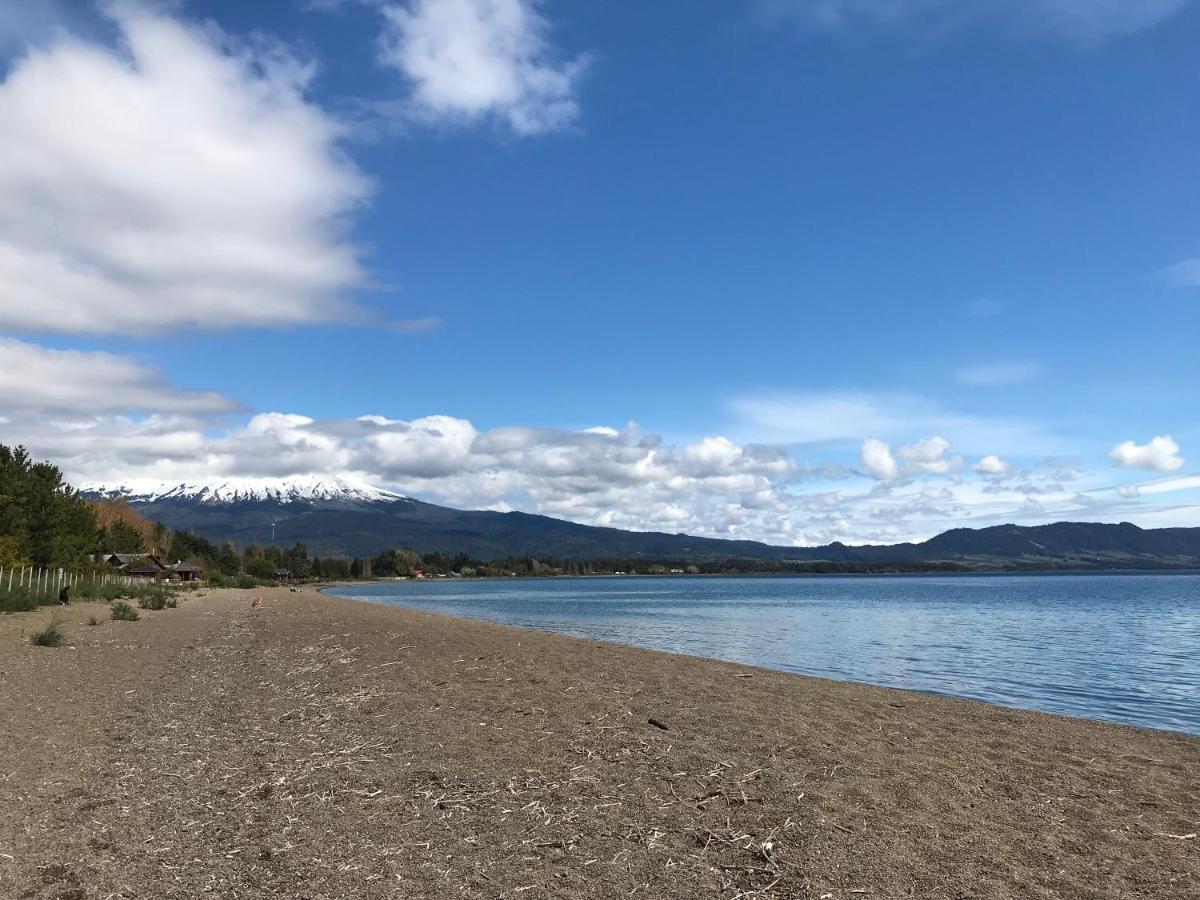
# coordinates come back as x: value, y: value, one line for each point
x: 1081, y: 22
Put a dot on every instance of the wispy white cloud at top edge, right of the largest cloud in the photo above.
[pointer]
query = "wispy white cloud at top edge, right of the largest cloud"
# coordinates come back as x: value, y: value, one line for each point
x: 477, y: 61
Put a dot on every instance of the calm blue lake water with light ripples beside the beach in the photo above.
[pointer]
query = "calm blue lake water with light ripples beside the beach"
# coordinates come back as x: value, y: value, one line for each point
x: 1119, y: 647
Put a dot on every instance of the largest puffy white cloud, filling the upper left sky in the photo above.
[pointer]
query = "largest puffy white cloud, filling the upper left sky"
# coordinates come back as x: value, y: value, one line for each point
x: 181, y: 181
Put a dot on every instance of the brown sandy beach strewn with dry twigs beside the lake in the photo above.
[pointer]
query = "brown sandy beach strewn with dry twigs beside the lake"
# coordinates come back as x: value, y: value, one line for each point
x: 321, y: 748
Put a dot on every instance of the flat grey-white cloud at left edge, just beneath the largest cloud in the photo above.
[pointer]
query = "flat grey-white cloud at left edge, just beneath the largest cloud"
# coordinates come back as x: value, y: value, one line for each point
x: 37, y: 379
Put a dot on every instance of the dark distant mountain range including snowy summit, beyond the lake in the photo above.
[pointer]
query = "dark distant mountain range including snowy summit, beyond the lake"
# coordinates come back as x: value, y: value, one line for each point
x: 341, y: 518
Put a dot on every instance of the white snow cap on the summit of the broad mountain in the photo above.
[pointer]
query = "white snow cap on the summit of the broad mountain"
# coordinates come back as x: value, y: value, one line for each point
x: 302, y: 489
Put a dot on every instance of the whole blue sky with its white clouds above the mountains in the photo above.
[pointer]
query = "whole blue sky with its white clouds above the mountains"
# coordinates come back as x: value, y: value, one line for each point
x: 753, y: 242
